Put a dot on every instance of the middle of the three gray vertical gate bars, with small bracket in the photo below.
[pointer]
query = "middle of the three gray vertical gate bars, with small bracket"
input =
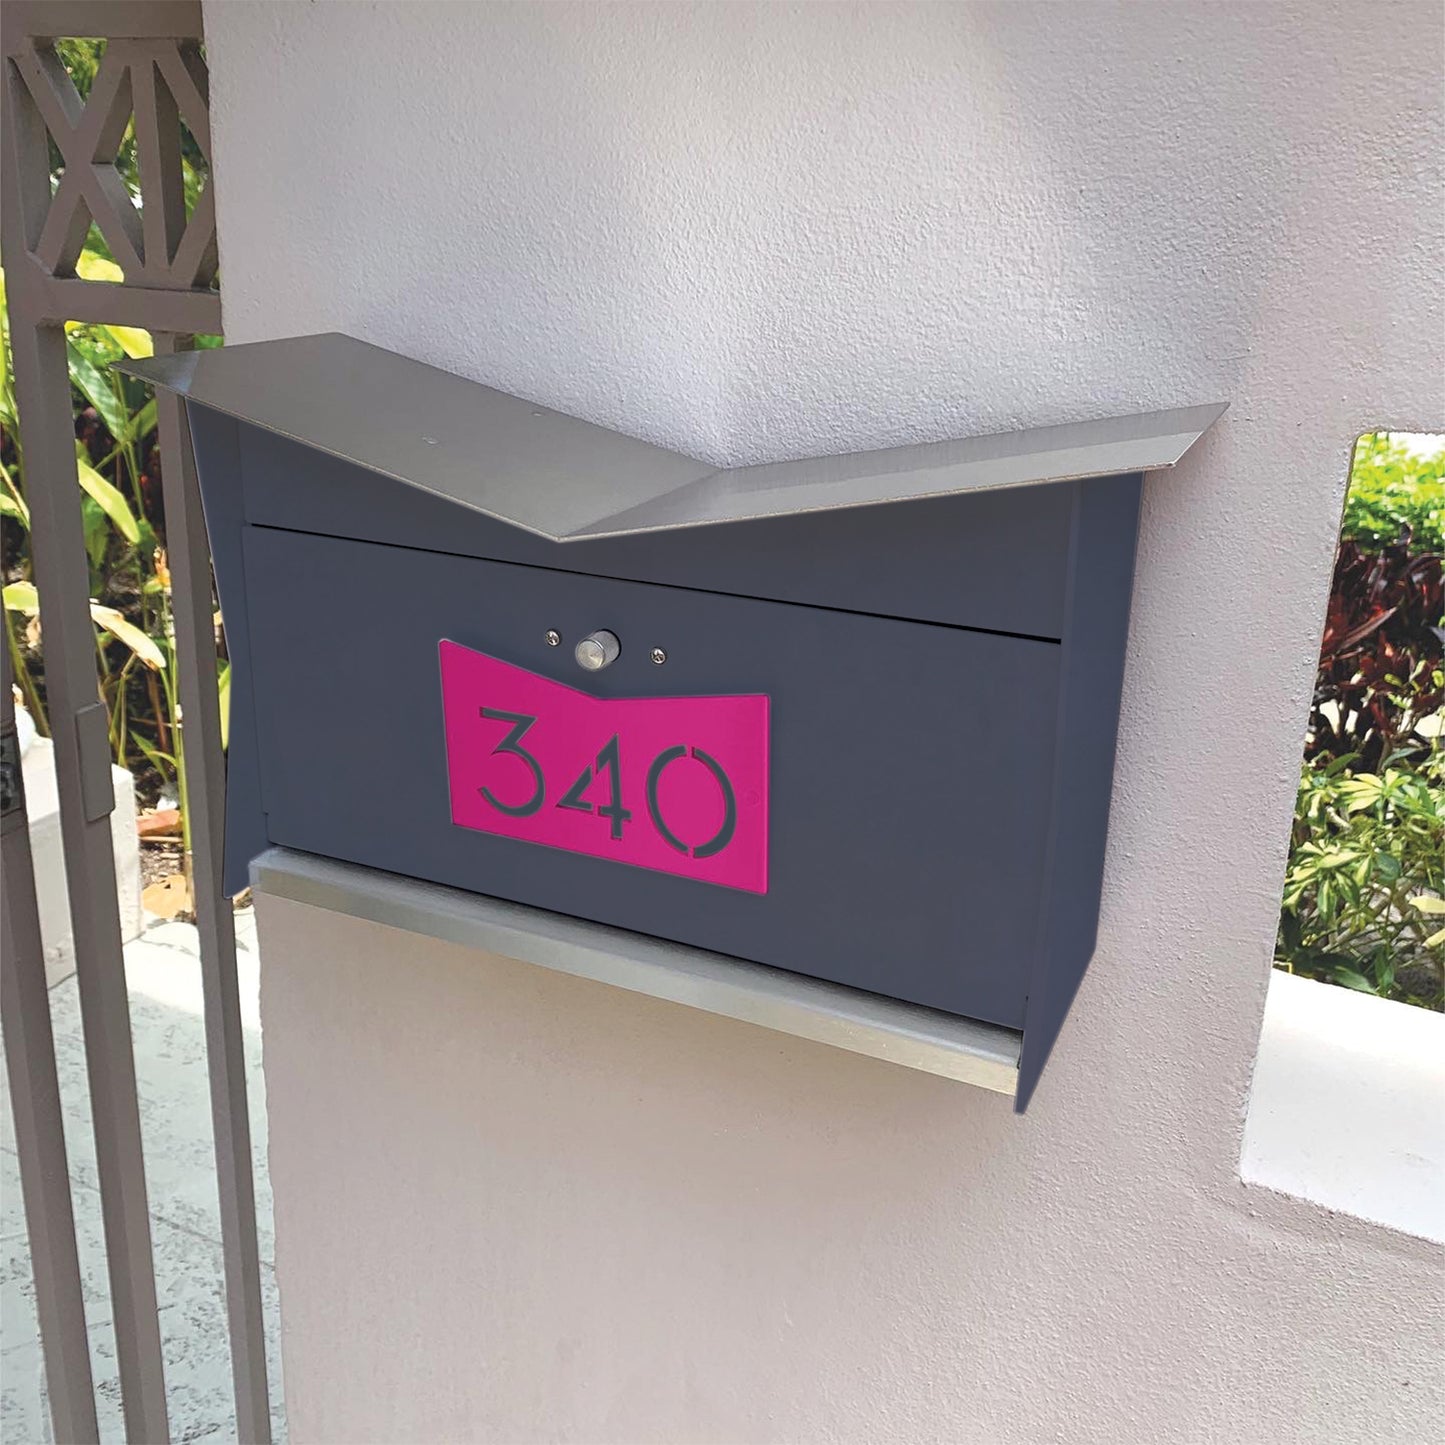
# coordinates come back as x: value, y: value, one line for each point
x: 79, y: 725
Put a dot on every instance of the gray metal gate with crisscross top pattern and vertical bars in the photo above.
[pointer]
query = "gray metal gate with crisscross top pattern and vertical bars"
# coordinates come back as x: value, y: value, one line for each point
x: 154, y: 74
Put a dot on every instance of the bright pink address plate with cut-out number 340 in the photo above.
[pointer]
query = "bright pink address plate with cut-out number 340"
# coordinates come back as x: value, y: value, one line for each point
x: 671, y: 784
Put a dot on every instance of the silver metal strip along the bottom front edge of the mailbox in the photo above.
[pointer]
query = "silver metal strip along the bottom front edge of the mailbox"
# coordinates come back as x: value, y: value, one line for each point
x: 774, y: 999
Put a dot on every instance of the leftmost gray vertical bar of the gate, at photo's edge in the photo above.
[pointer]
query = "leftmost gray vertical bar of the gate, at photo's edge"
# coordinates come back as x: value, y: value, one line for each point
x: 35, y: 1103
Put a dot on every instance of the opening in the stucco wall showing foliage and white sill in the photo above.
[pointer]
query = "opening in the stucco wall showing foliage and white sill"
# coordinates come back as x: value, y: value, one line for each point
x: 1345, y: 1108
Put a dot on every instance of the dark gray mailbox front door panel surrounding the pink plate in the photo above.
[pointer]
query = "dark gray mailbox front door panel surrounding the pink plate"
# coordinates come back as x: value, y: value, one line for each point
x: 910, y: 764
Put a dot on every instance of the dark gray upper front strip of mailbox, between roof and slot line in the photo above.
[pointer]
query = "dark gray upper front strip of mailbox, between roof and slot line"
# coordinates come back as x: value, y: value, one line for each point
x: 975, y: 561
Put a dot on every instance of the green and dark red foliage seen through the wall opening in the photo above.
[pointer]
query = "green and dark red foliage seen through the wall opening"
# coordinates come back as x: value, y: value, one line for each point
x: 1366, y: 872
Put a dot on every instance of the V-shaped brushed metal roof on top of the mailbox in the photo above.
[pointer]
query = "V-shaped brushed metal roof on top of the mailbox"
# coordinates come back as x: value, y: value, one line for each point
x: 569, y: 480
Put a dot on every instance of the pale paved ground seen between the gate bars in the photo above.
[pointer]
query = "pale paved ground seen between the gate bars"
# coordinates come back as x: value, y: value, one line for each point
x: 176, y: 1112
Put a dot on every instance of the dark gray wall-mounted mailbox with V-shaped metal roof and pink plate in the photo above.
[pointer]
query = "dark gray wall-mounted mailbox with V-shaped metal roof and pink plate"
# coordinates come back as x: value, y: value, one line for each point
x: 852, y: 717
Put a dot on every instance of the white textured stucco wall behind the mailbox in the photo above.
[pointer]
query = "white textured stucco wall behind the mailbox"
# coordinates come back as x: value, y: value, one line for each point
x: 519, y: 1207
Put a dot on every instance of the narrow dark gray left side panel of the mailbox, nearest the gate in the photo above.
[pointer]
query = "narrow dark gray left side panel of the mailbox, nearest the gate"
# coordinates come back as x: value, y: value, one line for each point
x: 216, y: 441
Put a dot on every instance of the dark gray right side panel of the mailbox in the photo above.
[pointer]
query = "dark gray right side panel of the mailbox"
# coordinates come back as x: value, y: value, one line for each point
x: 1096, y: 638
